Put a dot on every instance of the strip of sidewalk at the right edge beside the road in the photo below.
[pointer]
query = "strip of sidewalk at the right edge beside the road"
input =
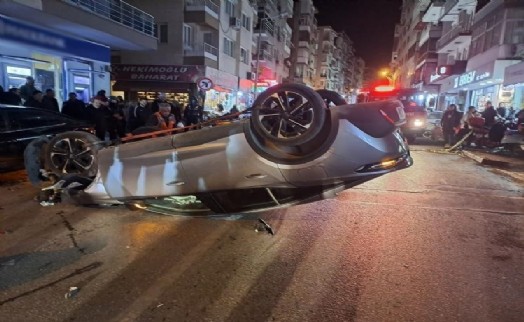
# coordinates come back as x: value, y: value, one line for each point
x: 506, y: 165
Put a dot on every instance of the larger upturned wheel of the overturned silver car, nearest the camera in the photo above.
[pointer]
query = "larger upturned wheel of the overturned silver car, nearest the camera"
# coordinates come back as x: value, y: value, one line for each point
x: 288, y: 114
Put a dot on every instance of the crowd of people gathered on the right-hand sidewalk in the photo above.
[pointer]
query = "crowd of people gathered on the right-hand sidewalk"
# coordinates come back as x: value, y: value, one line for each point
x: 456, y: 124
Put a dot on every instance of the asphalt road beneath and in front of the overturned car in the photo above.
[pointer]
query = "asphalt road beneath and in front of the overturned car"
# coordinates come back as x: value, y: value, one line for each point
x: 441, y: 241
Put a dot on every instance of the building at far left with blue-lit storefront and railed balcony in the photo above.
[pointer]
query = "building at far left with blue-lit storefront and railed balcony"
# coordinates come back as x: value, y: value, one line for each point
x: 65, y: 44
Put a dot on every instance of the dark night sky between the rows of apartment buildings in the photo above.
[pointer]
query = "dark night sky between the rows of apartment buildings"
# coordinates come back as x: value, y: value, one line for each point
x: 369, y: 23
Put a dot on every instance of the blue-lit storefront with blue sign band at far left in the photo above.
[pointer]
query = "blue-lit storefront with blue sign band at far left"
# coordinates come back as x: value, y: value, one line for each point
x: 55, y: 61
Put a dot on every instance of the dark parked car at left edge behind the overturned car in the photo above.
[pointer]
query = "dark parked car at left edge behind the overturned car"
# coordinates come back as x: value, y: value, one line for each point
x: 20, y: 125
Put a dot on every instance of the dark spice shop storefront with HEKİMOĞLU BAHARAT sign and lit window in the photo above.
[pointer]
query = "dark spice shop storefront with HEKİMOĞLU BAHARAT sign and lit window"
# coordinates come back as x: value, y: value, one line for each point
x: 174, y: 82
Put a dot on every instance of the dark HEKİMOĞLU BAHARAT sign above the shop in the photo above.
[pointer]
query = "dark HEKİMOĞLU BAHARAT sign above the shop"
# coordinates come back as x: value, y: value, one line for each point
x: 170, y: 73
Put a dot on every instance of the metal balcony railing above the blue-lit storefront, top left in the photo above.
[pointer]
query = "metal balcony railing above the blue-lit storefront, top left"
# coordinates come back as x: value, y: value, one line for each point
x: 120, y: 12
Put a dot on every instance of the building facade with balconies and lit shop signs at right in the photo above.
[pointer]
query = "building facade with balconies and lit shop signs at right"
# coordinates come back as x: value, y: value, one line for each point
x: 475, y: 43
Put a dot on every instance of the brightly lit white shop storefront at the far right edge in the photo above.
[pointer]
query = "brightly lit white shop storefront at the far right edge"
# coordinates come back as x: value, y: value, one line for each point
x: 514, y: 86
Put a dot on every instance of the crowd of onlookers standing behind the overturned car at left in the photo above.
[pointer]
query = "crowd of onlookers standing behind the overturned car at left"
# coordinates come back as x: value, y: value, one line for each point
x: 112, y: 117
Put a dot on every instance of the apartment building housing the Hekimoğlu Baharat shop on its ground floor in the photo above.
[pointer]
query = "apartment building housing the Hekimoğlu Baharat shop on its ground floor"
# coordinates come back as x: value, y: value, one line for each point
x: 204, y: 50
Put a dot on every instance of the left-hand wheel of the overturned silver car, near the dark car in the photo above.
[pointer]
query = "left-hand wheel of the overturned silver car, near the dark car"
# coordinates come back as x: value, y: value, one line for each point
x: 73, y: 153
